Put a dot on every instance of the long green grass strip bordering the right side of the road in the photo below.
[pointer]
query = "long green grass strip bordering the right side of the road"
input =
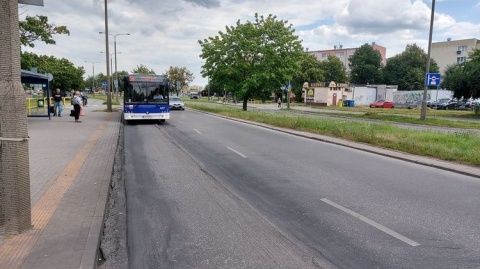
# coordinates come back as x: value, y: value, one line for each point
x: 461, y: 147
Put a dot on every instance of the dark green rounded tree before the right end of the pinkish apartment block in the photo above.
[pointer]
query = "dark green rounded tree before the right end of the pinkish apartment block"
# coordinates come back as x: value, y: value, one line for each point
x: 366, y: 66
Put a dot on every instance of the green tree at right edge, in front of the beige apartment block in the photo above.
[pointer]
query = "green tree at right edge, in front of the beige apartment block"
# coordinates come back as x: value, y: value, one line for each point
x: 464, y: 78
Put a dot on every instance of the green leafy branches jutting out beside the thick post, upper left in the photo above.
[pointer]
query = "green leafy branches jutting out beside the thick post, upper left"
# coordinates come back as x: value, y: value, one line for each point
x: 38, y: 28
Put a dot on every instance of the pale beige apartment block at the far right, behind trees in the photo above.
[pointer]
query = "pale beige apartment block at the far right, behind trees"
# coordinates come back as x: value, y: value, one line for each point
x: 452, y: 51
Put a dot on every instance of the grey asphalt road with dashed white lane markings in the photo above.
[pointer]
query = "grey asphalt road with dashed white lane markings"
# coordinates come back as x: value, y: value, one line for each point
x: 206, y: 192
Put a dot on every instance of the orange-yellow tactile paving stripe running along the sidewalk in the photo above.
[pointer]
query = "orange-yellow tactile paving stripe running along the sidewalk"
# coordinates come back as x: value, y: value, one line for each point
x: 16, y: 248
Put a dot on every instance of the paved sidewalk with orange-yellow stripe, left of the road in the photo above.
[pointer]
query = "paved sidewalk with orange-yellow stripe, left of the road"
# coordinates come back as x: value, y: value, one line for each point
x: 70, y: 169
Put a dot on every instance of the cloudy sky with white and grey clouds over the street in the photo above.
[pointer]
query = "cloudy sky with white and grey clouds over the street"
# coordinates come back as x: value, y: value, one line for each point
x: 166, y: 33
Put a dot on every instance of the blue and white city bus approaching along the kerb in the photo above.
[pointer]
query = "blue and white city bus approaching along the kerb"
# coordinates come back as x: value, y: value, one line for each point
x: 146, y: 97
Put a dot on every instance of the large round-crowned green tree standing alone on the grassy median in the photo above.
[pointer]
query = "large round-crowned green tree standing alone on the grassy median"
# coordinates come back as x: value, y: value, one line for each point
x: 253, y: 58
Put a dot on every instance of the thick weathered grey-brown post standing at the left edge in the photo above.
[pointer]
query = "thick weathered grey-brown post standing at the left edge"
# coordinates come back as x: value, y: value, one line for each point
x: 15, y: 209
